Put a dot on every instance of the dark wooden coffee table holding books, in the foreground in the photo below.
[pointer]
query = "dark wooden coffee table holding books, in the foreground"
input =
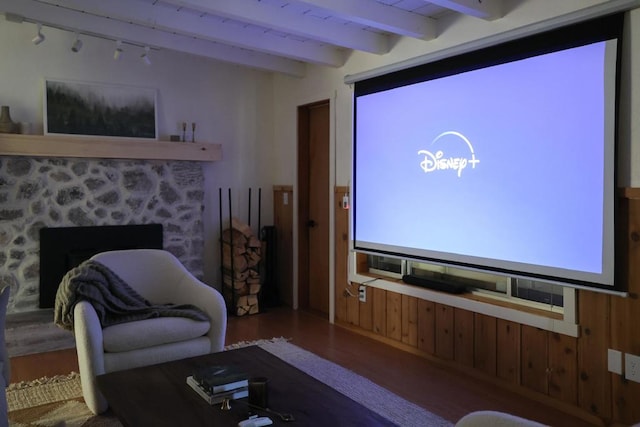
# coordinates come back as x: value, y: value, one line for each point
x: 158, y: 395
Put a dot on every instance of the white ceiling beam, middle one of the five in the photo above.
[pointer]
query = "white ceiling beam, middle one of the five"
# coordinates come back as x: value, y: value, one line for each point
x: 281, y: 19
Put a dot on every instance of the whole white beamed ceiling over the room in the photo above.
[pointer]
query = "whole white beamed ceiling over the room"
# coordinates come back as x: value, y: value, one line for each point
x: 273, y: 35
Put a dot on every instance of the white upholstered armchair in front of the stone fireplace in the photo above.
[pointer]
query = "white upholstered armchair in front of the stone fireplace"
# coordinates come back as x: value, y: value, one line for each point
x: 160, y: 278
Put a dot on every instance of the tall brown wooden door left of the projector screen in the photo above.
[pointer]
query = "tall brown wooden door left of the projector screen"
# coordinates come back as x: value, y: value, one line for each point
x: 313, y: 181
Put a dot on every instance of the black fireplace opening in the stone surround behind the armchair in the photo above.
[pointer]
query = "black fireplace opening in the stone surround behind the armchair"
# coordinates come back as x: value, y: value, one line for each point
x: 63, y: 248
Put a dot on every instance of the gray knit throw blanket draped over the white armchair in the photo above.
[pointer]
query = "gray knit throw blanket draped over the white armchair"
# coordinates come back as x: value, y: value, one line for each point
x: 112, y: 298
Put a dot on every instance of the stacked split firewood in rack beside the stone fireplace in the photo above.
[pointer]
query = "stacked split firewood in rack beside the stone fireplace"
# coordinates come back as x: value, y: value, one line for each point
x: 241, y: 256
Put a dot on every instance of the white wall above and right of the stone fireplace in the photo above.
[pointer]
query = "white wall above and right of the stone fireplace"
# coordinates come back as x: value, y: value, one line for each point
x: 231, y: 105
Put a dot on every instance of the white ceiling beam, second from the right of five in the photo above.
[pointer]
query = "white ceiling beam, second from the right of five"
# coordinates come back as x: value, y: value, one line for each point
x: 380, y: 16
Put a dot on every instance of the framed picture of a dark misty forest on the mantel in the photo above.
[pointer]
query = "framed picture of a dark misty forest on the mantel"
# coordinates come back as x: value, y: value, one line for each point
x: 79, y: 108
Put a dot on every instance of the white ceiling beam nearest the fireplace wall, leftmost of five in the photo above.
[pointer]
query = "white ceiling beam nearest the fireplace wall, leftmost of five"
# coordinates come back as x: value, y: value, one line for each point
x: 85, y: 23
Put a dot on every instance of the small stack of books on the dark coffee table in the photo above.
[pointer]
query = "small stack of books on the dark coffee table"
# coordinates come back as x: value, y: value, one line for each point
x: 218, y: 383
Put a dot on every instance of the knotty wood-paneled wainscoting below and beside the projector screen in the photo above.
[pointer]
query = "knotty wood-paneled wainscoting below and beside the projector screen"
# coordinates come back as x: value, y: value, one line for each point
x: 569, y: 373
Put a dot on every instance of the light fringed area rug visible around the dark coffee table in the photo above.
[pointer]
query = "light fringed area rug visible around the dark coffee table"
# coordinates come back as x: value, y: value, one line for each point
x: 58, y: 401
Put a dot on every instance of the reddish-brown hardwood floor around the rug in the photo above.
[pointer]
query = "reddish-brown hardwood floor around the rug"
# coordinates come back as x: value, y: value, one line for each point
x: 441, y: 390
